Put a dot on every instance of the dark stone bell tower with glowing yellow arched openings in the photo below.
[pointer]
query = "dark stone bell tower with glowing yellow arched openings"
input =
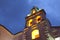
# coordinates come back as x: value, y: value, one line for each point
x: 37, y: 25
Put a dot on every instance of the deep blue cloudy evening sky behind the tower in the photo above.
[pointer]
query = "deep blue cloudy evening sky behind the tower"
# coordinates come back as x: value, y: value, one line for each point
x: 13, y: 12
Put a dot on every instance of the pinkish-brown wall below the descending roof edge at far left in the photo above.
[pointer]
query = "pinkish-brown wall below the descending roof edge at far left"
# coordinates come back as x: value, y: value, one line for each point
x: 5, y: 35
